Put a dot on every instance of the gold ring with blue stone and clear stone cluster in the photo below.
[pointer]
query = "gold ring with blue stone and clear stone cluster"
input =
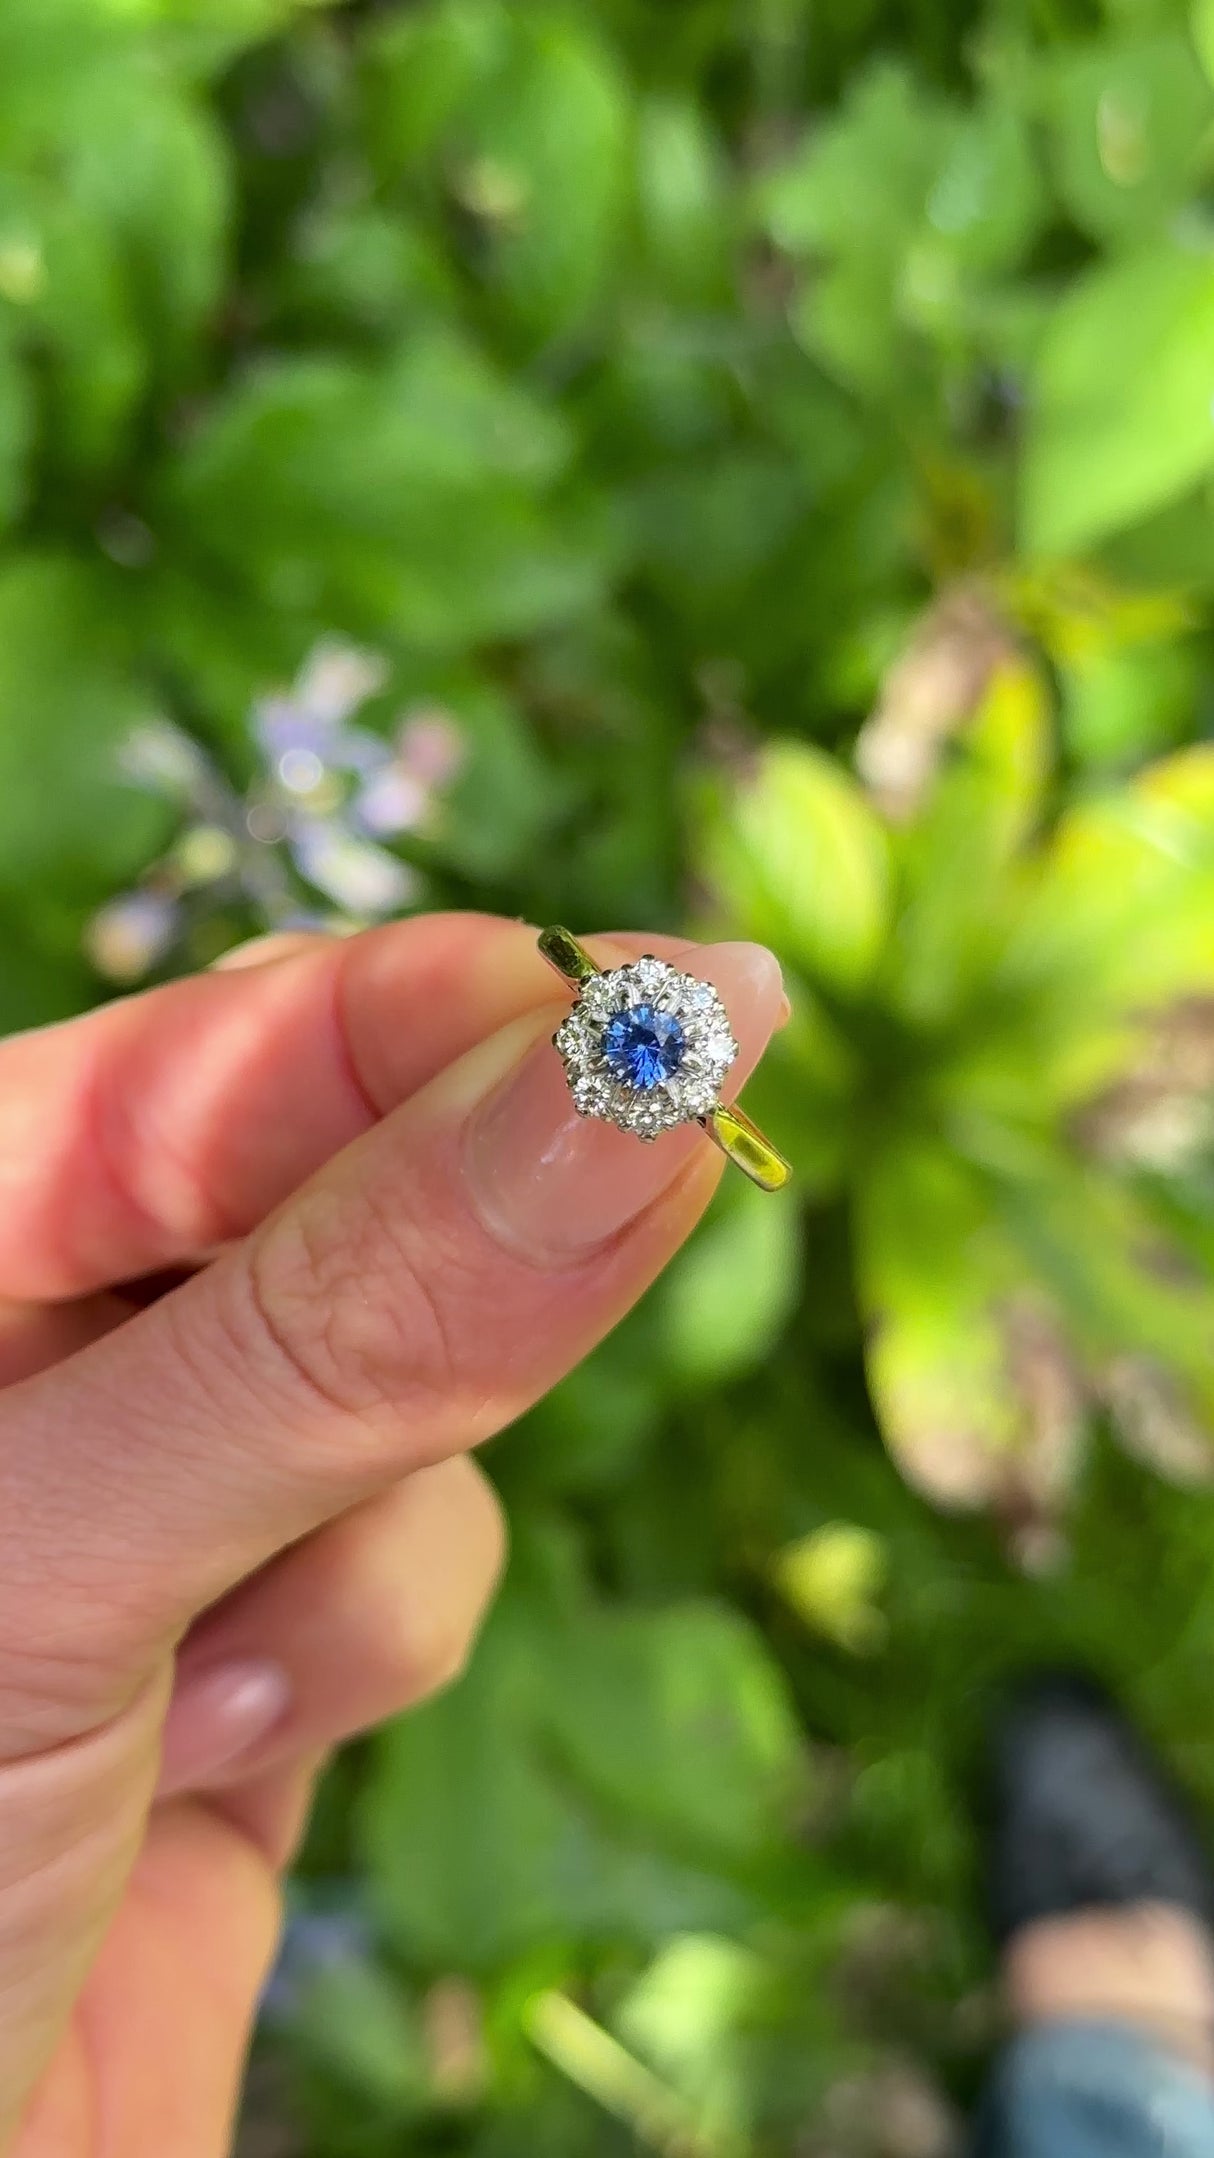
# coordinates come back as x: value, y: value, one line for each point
x: 648, y: 1048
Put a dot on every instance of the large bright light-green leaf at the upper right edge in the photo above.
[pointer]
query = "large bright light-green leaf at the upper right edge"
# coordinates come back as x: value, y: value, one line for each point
x: 1122, y: 415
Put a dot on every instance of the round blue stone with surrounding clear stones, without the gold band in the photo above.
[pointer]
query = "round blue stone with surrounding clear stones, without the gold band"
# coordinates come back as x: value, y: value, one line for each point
x: 646, y: 1048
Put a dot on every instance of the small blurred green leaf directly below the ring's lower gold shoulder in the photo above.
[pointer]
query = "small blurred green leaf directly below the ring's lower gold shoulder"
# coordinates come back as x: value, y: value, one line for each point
x: 730, y: 1294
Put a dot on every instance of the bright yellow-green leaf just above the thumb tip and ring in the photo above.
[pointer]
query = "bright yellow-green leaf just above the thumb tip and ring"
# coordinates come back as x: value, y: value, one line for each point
x: 799, y: 860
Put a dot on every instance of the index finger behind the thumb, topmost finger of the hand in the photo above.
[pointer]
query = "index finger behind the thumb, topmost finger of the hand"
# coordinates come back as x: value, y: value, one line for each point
x: 158, y: 1128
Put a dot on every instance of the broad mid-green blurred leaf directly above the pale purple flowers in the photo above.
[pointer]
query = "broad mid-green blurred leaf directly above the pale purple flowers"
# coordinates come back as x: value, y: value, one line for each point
x: 406, y: 500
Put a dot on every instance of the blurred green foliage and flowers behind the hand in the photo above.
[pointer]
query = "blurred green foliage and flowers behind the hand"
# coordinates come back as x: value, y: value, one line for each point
x: 719, y: 465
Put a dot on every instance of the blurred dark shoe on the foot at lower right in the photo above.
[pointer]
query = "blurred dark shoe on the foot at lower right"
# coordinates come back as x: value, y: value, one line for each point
x: 1084, y: 1816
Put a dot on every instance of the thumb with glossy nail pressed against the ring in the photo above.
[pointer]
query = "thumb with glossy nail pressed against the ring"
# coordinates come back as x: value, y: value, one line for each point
x: 411, y: 1300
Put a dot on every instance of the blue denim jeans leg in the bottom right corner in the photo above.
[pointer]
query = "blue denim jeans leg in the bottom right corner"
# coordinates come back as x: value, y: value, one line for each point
x: 1090, y: 2090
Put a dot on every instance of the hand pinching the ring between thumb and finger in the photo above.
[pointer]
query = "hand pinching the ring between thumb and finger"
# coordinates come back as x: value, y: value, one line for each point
x: 236, y: 1518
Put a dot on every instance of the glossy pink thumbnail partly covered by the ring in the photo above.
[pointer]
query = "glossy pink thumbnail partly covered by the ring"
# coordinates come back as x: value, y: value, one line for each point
x: 551, y: 1184
